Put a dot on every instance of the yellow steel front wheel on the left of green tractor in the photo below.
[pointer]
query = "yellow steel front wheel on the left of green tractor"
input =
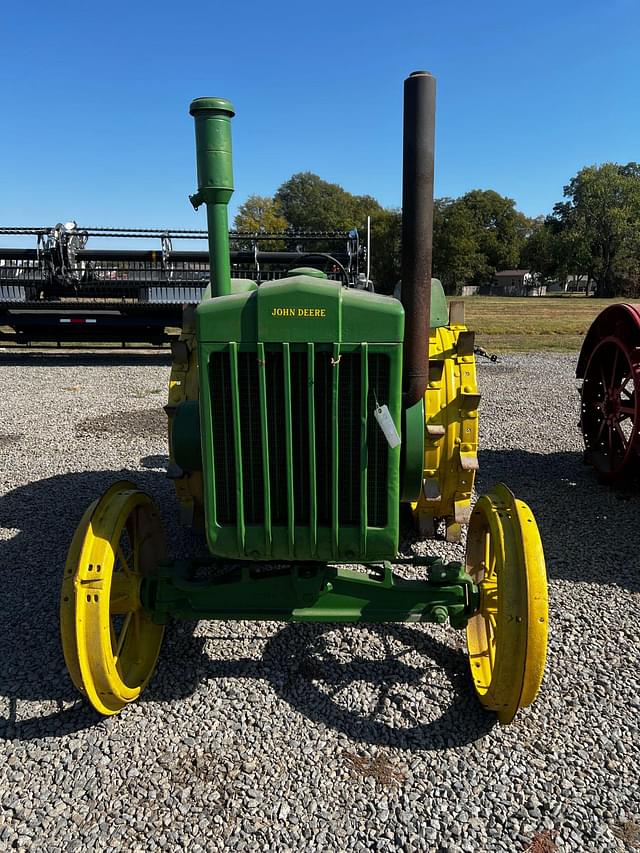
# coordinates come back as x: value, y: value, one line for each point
x: 110, y: 644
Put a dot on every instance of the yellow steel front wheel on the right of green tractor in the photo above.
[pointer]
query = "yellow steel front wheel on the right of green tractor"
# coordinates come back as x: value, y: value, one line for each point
x: 507, y: 638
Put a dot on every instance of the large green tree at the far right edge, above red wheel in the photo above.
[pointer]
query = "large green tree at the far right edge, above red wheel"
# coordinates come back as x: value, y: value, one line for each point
x: 598, y: 227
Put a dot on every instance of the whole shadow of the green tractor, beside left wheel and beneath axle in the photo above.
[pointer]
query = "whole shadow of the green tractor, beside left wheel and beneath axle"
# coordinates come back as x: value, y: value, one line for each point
x: 37, y: 698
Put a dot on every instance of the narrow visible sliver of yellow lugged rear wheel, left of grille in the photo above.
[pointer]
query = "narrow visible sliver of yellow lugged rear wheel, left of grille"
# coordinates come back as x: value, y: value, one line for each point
x: 183, y: 385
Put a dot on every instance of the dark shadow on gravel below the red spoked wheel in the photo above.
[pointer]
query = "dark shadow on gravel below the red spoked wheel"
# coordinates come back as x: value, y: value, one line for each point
x: 590, y: 531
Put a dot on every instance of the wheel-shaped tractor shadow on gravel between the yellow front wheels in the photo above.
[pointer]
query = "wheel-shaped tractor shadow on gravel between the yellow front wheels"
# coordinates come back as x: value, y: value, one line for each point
x: 421, y: 682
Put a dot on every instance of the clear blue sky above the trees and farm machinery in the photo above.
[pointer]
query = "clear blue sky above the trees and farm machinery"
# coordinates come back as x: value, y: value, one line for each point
x: 95, y: 99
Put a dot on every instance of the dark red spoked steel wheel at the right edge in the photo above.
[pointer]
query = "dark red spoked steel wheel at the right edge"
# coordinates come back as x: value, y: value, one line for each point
x: 610, y: 418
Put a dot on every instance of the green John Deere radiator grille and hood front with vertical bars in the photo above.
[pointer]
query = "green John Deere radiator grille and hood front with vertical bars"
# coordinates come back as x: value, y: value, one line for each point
x: 318, y: 438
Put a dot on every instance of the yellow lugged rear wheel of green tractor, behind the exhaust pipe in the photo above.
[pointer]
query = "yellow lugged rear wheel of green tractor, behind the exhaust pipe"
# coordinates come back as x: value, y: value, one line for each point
x: 451, y: 432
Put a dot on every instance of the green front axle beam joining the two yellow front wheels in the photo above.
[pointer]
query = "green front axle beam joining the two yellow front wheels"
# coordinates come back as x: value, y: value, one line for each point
x: 311, y: 592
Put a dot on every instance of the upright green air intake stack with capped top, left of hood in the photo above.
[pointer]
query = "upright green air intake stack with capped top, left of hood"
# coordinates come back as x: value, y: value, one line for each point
x: 215, y: 182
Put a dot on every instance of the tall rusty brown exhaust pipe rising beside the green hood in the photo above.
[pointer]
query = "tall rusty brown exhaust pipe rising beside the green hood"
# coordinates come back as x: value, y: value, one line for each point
x: 417, y: 229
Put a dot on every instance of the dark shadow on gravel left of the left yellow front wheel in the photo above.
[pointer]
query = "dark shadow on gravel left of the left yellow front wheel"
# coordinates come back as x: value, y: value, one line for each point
x: 36, y: 525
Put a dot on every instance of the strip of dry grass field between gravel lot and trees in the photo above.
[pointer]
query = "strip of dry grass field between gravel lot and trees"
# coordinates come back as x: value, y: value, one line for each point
x: 512, y: 324
